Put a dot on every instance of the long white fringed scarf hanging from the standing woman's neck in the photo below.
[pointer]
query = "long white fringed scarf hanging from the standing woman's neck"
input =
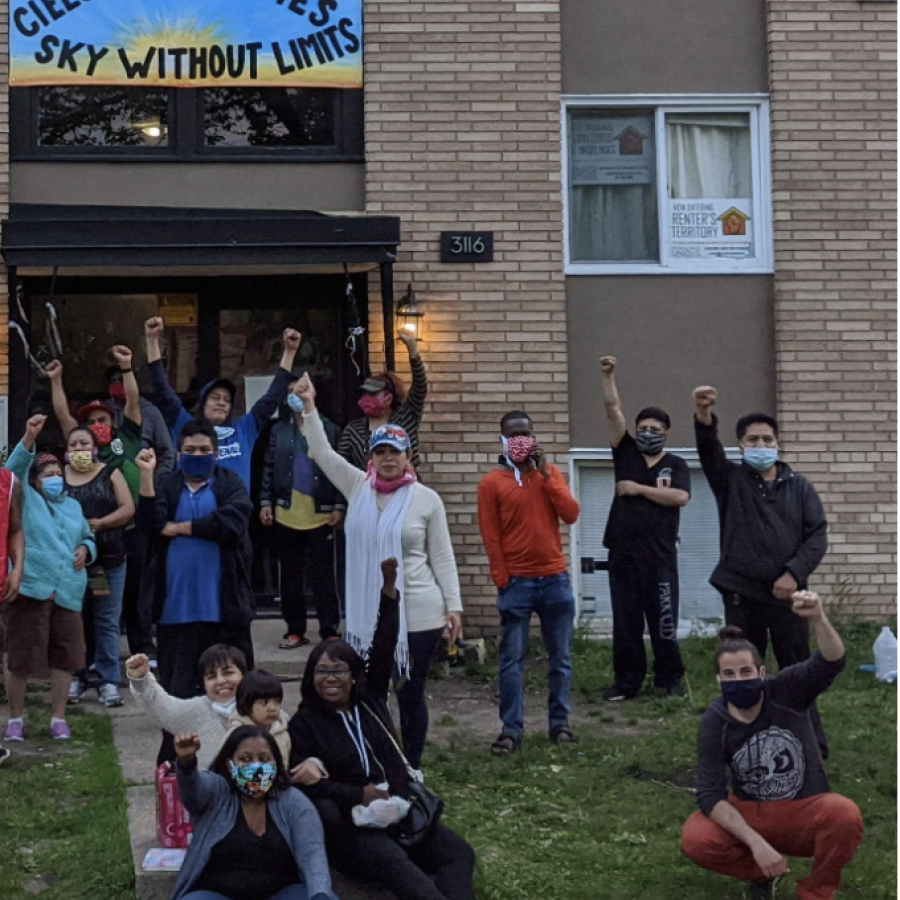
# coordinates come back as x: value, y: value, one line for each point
x: 373, y: 535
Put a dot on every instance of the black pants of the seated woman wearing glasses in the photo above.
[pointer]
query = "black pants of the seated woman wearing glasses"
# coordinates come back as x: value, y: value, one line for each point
x: 440, y: 868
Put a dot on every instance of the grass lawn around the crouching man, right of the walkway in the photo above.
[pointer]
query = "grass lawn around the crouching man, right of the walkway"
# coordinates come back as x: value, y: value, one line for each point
x: 601, y: 821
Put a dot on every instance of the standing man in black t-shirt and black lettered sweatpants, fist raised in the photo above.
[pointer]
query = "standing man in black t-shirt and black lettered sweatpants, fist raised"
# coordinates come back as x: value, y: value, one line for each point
x: 641, y: 536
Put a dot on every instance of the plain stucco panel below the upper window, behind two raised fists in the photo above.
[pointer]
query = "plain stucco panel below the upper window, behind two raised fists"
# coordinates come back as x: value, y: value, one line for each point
x: 669, y: 334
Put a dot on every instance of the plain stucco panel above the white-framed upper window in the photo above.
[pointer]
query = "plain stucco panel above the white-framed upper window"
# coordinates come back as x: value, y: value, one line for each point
x: 664, y: 46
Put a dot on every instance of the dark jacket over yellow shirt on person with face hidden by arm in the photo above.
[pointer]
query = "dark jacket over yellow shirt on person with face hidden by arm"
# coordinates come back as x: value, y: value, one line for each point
x: 285, y: 442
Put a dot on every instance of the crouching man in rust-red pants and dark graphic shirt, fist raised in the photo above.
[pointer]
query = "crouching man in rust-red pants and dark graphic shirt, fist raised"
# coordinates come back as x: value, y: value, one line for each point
x: 780, y: 803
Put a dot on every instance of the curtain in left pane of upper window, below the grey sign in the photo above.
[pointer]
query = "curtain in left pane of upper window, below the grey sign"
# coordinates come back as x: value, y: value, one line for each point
x: 614, y: 222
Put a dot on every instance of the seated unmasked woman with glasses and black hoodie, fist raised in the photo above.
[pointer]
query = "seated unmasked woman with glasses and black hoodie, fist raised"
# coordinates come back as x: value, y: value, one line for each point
x: 346, y: 757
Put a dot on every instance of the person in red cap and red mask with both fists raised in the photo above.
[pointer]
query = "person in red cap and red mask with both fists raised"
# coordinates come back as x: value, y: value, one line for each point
x: 117, y: 447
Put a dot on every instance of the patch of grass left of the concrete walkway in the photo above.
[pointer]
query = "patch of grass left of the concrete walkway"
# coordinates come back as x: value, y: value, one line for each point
x: 63, y: 827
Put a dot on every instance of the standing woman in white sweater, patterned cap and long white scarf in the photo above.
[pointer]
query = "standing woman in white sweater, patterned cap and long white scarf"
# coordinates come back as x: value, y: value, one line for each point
x: 389, y: 514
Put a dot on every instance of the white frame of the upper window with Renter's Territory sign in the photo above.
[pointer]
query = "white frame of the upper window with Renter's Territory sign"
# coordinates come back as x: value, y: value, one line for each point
x: 757, y: 105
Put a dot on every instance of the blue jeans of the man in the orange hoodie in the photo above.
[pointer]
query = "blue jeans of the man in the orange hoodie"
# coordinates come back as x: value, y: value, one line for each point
x: 552, y: 599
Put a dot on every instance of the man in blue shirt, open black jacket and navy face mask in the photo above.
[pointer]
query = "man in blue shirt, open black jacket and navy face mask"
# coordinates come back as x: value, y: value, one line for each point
x: 198, y: 567
